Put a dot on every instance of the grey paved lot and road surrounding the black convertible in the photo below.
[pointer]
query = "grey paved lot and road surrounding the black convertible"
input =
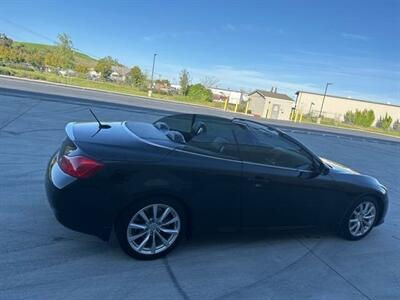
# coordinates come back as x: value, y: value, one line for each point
x: 40, y: 259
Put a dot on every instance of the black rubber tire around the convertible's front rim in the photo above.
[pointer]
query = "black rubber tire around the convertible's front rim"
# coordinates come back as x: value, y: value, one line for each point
x: 344, y: 230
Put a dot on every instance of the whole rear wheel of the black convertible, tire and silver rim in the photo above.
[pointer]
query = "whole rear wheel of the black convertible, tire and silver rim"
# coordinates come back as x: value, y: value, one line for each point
x: 151, y: 229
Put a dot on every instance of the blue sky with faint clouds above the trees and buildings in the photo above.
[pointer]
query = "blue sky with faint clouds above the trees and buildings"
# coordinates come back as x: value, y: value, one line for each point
x: 294, y: 45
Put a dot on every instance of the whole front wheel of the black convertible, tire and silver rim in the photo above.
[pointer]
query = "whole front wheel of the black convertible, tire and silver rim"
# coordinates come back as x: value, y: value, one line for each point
x: 360, y: 219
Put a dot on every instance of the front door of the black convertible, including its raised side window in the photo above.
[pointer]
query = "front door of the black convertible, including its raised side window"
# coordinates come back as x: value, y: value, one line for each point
x: 279, y: 185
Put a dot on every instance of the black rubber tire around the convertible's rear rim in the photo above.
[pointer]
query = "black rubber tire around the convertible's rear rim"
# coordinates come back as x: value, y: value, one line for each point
x: 121, y: 227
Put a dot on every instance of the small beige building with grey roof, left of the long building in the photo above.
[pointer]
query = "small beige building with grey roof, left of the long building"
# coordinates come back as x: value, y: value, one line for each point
x: 271, y: 105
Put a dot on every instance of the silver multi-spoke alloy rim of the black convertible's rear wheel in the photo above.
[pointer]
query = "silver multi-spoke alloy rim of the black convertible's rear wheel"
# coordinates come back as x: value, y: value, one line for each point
x: 153, y: 229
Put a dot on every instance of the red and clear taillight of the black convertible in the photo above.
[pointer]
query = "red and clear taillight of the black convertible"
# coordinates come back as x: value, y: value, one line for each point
x: 79, y: 166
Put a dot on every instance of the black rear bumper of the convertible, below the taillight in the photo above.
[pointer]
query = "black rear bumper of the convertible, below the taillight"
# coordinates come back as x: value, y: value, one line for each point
x: 77, y: 205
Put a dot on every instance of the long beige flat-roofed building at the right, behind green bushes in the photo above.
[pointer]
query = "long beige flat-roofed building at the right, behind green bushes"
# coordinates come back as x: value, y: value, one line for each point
x: 335, y: 107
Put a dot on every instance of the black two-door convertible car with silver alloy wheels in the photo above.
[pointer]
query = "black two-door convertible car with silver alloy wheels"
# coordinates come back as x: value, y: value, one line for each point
x: 154, y: 183
